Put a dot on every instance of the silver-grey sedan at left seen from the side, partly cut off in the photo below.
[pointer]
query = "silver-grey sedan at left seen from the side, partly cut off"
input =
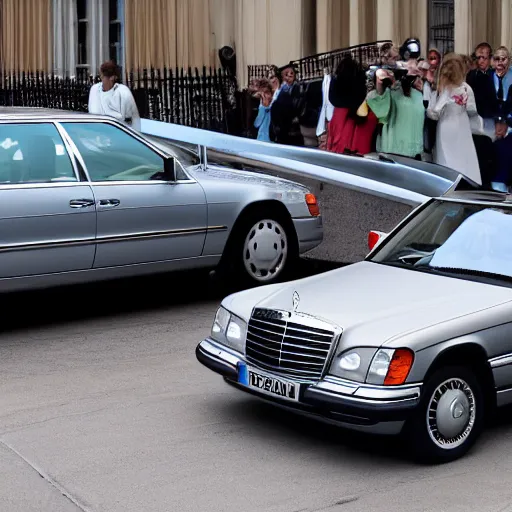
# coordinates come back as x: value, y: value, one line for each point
x: 85, y: 198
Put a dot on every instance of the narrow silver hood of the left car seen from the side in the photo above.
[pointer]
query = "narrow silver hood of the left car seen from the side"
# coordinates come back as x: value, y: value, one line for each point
x: 245, y: 178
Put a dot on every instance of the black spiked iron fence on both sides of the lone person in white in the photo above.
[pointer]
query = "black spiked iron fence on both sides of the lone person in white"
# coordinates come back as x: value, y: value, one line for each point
x: 202, y: 99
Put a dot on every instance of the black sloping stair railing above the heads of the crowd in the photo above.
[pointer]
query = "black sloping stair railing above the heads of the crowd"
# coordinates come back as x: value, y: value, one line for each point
x: 313, y: 66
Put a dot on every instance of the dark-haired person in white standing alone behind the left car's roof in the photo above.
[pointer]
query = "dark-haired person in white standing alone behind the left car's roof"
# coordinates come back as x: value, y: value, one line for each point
x: 112, y: 99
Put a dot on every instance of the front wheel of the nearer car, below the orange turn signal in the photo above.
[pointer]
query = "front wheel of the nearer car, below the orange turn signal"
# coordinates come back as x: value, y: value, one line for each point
x: 456, y: 396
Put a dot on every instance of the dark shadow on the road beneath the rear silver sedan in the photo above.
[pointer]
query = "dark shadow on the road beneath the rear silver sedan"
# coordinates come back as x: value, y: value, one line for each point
x: 109, y: 298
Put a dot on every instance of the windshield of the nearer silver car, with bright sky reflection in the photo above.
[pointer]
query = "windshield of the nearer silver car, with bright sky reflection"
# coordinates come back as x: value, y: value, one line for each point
x: 464, y: 240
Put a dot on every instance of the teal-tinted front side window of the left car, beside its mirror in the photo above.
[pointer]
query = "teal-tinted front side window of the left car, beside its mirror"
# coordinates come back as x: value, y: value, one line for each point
x: 111, y: 154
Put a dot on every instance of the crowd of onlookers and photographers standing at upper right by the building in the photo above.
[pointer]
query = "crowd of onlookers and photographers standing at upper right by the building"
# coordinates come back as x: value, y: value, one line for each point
x: 452, y: 109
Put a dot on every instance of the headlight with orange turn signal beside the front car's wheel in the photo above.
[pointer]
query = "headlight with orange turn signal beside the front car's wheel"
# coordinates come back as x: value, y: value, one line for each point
x: 390, y: 367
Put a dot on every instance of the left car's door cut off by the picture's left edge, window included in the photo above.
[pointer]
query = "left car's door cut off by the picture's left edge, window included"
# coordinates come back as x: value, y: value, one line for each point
x: 47, y: 216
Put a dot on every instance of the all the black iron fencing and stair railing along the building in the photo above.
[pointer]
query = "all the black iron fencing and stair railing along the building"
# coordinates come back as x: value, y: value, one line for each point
x: 206, y: 98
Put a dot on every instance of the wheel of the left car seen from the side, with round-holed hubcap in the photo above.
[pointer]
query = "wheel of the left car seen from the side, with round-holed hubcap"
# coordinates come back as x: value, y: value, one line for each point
x: 262, y: 250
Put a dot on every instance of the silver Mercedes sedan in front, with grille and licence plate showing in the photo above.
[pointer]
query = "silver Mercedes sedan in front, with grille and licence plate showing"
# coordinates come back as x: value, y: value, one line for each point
x: 414, y: 340
